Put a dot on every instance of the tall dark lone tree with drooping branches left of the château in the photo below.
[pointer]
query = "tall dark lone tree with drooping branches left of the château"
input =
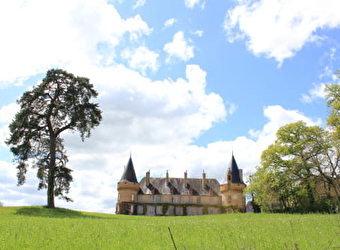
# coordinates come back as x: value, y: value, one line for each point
x: 59, y: 103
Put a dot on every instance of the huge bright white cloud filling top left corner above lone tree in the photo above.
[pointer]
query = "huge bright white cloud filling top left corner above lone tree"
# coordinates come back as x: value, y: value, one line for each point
x: 71, y: 32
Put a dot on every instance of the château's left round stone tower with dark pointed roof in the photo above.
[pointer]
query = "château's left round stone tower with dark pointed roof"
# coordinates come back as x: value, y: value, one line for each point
x: 128, y: 188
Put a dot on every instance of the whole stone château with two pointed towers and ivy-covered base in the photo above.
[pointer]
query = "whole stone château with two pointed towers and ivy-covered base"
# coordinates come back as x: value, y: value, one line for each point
x: 180, y: 196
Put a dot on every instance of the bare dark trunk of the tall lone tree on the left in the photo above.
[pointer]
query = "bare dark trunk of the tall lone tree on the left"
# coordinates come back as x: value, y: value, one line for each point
x: 51, y: 173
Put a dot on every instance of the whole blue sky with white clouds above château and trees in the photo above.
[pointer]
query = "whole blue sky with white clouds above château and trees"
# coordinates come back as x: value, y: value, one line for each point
x: 182, y: 84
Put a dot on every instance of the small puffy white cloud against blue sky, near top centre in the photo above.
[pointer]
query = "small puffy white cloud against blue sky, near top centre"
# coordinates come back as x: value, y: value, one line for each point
x: 179, y: 48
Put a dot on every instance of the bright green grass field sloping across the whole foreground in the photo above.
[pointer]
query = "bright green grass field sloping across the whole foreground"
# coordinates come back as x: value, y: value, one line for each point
x: 41, y: 228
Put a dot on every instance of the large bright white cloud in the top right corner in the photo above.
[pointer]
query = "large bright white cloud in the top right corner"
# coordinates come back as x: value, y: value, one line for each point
x: 278, y: 29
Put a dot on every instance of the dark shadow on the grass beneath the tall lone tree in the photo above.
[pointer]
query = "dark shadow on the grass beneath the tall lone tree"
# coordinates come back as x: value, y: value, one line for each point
x: 39, y: 211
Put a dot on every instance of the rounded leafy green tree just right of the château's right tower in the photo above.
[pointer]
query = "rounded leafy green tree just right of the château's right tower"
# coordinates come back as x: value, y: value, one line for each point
x: 290, y: 168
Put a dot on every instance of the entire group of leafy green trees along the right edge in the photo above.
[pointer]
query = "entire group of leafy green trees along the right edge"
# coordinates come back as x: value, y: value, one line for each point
x: 300, y: 171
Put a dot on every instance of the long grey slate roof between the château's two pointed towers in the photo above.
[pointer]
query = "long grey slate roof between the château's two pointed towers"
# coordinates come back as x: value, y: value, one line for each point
x: 176, y: 186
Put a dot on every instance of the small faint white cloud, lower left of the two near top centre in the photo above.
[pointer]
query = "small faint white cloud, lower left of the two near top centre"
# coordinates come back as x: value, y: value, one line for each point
x: 141, y: 59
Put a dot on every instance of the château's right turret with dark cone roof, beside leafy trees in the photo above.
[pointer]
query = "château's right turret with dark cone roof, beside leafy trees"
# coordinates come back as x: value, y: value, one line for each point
x: 233, y: 186
